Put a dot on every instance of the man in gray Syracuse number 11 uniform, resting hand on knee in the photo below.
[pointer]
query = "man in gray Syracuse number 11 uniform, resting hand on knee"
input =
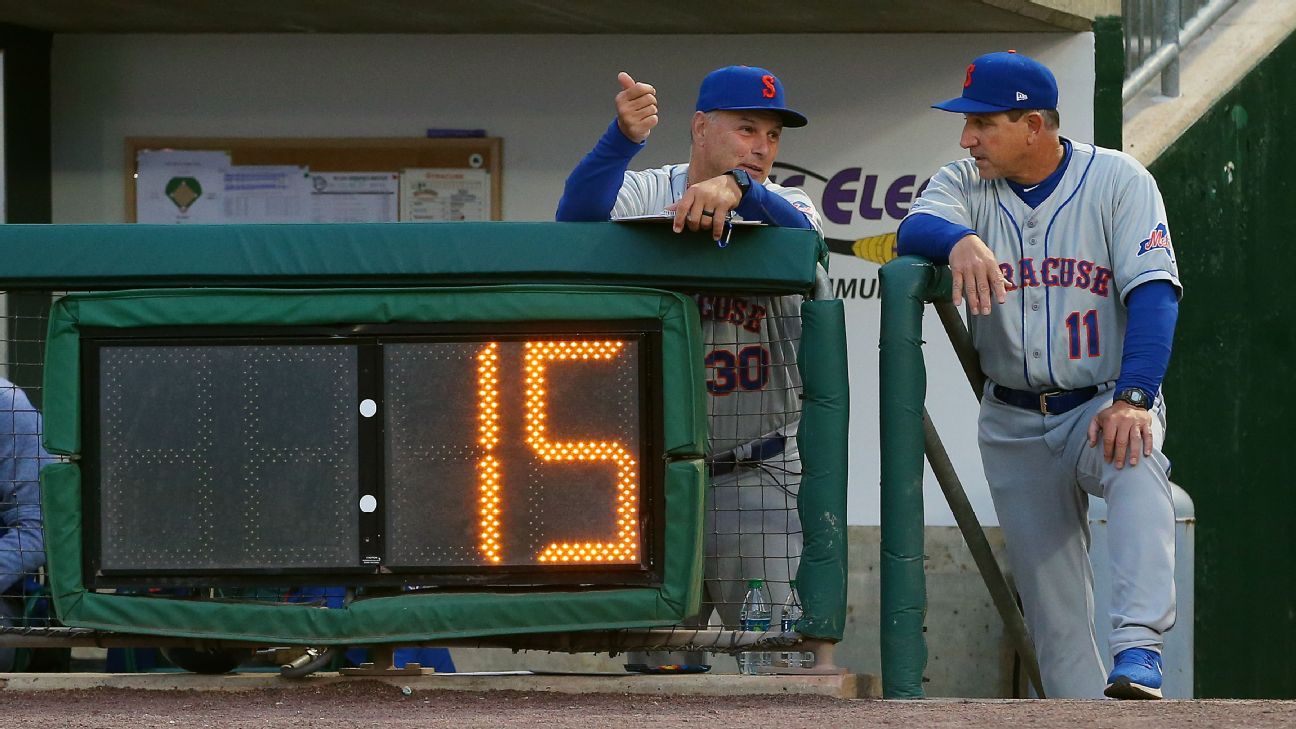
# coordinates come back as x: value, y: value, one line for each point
x: 1063, y: 254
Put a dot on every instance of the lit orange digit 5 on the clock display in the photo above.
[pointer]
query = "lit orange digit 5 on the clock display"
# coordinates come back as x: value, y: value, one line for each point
x: 627, y: 545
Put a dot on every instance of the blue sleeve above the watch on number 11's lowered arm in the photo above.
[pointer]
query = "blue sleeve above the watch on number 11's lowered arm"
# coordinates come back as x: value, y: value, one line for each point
x: 1154, y: 309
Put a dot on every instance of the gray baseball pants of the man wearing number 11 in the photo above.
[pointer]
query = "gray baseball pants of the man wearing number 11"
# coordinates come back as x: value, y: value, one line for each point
x: 1040, y: 469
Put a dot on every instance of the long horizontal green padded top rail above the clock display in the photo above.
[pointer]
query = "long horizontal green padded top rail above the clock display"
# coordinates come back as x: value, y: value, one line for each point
x: 759, y: 260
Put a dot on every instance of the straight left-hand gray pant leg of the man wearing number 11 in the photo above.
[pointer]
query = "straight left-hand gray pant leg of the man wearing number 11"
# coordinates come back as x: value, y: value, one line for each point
x: 1044, y: 516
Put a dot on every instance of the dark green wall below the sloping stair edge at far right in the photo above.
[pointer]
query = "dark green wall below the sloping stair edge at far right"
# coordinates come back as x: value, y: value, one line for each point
x: 1228, y: 195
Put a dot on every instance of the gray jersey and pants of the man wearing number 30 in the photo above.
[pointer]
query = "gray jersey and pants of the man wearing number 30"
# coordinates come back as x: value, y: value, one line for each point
x: 754, y: 387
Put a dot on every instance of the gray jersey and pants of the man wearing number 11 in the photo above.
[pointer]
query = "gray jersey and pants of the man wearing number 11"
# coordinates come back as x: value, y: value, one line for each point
x: 1070, y: 264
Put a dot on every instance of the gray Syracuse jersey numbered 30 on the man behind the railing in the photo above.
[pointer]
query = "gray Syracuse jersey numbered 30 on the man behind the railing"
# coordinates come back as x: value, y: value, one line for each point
x: 751, y: 342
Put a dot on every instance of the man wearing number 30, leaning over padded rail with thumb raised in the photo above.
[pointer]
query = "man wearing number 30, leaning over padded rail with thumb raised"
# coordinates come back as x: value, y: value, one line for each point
x: 752, y: 381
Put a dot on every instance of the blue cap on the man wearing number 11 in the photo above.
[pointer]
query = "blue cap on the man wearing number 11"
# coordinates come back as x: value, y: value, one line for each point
x: 1004, y: 81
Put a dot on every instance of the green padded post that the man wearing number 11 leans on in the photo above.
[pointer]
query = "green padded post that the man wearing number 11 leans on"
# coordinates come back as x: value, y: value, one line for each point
x: 908, y: 285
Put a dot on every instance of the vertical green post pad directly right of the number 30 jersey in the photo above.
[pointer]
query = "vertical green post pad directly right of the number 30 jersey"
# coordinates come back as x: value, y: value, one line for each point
x: 822, y: 501
